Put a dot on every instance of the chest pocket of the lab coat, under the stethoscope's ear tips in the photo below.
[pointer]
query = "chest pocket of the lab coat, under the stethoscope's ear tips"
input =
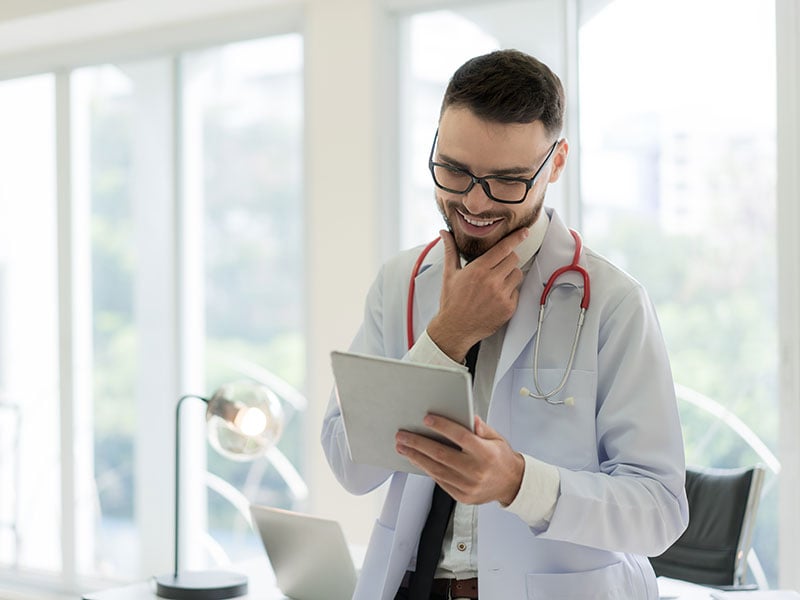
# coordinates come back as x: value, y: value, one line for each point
x: 561, y: 432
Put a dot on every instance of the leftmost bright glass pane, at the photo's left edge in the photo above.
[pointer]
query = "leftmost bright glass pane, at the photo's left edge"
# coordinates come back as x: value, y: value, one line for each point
x: 30, y: 492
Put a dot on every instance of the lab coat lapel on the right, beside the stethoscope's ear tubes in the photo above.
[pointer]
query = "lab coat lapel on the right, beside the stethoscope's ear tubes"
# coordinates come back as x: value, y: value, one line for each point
x: 556, y: 251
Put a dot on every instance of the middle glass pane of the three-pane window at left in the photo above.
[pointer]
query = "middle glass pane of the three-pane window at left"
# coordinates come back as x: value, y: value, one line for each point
x: 120, y: 146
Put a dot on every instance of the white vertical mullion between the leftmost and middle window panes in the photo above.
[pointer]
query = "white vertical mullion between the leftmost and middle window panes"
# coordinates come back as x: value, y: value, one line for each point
x: 78, y: 504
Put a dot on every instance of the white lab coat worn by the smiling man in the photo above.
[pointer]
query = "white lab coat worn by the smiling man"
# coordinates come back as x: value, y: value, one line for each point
x: 619, y: 449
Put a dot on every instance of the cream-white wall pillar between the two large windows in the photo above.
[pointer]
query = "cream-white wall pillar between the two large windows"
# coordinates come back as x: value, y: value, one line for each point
x: 342, y: 51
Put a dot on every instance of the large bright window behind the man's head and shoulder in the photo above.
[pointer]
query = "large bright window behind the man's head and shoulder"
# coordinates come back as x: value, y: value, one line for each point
x: 676, y: 158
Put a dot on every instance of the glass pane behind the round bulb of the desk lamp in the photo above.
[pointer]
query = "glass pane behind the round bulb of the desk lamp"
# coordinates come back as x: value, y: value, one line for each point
x: 244, y: 186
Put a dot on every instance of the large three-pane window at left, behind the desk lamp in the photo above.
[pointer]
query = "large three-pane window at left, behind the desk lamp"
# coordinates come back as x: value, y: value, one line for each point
x: 186, y: 229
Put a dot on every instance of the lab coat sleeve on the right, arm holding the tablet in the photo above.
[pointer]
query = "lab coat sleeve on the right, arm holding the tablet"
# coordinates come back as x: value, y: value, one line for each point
x: 636, y: 502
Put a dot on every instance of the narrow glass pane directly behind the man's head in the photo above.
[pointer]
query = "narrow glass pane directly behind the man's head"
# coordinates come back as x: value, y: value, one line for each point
x: 428, y: 59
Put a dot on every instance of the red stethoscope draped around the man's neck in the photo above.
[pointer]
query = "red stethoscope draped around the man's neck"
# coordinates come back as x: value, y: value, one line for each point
x: 573, y: 266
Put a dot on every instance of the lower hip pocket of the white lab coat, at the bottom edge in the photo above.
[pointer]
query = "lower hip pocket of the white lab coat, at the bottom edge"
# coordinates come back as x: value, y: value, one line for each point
x: 607, y: 583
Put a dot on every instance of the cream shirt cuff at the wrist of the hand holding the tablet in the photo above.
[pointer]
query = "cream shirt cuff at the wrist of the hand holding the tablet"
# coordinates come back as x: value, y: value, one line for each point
x: 538, y: 493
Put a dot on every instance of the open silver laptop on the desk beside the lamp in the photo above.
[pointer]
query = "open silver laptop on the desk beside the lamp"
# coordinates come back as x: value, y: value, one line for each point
x: 309, y: 555
